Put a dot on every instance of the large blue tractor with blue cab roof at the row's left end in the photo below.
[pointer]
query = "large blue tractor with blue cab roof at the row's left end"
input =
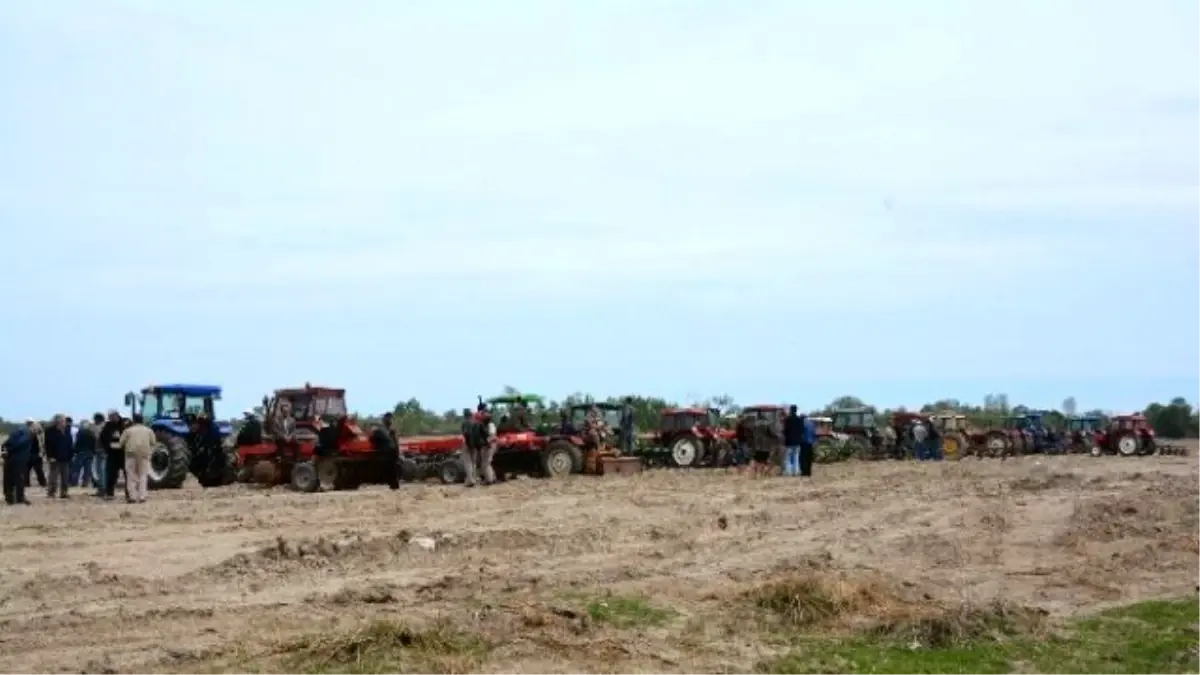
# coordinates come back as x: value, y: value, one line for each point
x: 190, y: 437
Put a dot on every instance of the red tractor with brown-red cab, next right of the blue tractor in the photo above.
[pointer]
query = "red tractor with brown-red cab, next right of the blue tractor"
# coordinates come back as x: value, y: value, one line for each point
x: 329, y: 450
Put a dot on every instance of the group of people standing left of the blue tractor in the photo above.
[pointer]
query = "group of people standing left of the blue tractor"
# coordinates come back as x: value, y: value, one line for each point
x: 62, y: 457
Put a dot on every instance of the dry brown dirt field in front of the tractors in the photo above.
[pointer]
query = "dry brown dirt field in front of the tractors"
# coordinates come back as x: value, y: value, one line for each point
x: 664, y: 572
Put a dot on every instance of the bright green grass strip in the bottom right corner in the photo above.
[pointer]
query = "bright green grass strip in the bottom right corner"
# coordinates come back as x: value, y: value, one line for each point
x: 1161, y: 638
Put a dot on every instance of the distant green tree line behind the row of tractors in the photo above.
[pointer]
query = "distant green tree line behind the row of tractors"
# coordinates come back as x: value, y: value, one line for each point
x: 1173, y: 420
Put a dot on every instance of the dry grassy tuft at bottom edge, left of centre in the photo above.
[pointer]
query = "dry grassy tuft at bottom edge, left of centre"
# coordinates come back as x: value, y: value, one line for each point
x: 385, y: 648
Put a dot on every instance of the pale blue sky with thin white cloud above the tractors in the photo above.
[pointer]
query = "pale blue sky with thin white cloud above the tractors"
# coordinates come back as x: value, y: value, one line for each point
x: 778, y: 201
